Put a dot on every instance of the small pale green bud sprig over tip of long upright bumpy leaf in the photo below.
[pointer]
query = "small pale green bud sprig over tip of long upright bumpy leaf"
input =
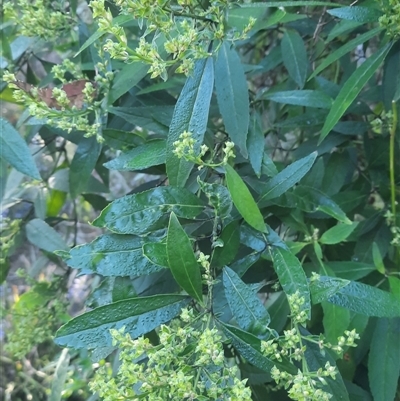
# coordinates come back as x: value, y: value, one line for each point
x: 186, y: 147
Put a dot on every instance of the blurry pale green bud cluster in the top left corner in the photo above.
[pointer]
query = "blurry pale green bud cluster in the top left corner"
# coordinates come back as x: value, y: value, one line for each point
x: 40, y: 18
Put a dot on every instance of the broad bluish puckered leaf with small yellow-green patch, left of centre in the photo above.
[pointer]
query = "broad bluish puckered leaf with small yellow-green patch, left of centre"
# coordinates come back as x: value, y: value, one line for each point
x: 112, y: 255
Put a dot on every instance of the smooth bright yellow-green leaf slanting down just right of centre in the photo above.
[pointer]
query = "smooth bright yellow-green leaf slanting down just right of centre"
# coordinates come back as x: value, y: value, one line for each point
x: 243, y: 200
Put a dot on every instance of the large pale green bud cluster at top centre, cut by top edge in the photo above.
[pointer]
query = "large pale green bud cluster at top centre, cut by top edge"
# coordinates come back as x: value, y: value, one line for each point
x: 188, y: 28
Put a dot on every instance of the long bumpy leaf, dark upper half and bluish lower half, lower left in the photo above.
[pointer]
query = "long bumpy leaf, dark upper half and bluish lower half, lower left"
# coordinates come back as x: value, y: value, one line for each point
x: 138, y: 315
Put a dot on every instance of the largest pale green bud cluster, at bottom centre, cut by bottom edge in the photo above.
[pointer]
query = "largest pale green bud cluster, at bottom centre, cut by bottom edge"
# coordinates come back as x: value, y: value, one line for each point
x: 188, y: 364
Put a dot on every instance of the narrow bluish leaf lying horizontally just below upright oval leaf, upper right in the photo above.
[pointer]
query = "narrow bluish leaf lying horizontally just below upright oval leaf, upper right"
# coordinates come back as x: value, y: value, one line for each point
x: 305, y: 97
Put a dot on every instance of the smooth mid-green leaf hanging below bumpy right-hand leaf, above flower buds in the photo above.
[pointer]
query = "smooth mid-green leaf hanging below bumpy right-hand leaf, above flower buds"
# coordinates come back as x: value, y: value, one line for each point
x: 336, y: 320
